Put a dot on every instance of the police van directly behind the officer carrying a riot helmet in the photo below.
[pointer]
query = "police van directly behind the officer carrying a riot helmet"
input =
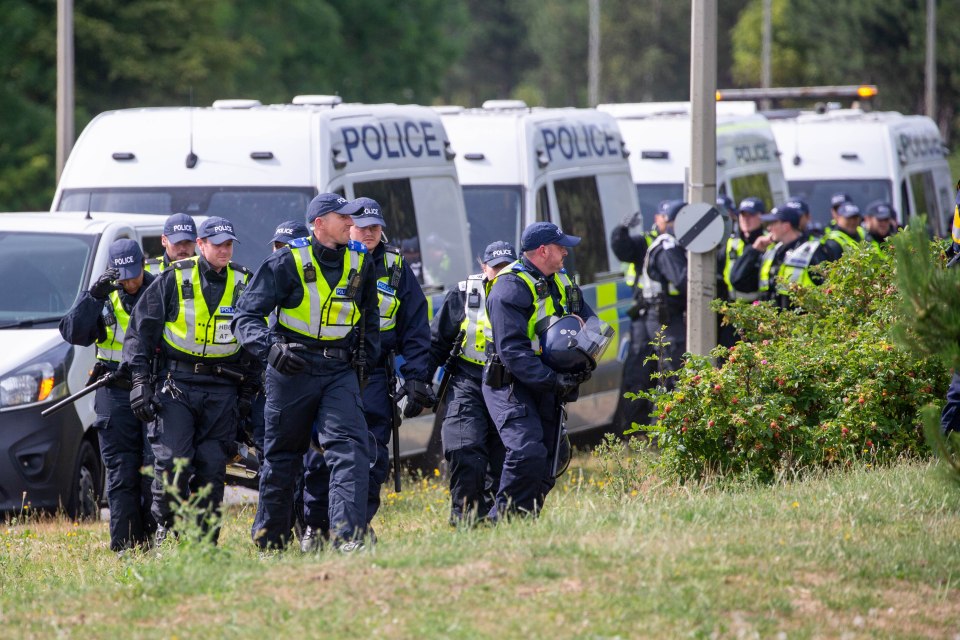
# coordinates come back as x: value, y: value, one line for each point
x: 519, y: 165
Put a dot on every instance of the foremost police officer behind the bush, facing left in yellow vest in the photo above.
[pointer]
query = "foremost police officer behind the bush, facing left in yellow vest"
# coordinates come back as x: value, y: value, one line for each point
x: 782, y: 257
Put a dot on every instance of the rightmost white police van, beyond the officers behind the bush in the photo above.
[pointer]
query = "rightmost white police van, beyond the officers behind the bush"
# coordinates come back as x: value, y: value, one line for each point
x: 869, y: 155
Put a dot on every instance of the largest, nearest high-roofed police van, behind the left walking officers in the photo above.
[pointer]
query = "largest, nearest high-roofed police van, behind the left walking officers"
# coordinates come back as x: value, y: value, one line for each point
x: 260, y: 165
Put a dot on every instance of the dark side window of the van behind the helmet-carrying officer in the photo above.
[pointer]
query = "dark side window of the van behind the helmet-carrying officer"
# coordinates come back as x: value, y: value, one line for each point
x: 578, y: 200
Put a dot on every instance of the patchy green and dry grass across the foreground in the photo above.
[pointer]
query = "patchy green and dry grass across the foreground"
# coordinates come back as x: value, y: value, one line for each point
x: 867, y: 553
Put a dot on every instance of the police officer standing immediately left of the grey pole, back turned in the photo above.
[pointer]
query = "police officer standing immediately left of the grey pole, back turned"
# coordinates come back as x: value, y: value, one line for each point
x: 664, y: 279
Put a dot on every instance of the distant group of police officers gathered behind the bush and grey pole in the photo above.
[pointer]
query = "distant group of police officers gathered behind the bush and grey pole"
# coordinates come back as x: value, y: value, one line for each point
x: 755, y: 263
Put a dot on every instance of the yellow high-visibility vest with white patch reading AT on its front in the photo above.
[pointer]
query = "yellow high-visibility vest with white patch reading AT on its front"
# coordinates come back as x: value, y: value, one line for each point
x: 196, y: 331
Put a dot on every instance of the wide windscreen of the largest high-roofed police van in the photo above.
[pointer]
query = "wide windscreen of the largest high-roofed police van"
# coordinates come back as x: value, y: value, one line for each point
x: 254, y: 212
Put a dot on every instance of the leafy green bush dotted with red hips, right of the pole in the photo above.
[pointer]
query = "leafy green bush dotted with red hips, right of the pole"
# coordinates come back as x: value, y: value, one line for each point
x: 818, y: 386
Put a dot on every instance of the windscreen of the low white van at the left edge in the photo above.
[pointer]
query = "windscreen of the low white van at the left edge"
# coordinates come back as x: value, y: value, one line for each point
x: 41, y: 273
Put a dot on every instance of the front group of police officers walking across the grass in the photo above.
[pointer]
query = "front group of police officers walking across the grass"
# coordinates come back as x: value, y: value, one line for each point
x: 301, y: 357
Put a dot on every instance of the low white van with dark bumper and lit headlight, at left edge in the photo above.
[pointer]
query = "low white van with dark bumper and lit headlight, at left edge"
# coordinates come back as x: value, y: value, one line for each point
x: 46, y: 260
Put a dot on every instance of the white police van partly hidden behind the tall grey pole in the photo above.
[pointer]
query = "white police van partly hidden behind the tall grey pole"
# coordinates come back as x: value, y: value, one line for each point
x: 658, y: 136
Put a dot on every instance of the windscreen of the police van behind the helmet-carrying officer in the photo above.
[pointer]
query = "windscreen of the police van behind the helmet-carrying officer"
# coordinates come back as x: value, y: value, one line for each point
x: 494, y: 213
